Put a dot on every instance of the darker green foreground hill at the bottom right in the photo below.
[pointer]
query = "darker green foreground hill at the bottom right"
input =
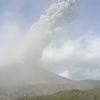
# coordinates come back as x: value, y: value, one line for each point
x: 93, y: 94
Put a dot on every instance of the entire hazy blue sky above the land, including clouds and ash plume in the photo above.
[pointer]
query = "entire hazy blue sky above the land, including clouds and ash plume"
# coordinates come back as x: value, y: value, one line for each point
x: 70, y: 49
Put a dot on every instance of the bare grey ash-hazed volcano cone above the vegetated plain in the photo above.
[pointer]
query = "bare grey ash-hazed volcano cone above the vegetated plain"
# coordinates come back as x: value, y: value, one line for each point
x: 19, y: 74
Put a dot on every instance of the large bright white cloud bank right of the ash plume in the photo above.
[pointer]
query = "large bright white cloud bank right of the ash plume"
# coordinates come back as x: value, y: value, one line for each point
x: 83, y: 52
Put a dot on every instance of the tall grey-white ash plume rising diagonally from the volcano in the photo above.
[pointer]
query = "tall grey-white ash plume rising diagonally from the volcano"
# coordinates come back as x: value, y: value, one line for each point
x: 30, y: 48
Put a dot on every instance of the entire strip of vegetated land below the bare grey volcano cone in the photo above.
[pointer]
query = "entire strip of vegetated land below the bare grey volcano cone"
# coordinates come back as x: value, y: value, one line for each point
x: 86, y: 87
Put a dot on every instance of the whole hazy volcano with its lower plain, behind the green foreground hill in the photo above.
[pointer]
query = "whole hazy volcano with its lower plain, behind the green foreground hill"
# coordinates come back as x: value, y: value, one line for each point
x: 24, y: 80
